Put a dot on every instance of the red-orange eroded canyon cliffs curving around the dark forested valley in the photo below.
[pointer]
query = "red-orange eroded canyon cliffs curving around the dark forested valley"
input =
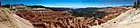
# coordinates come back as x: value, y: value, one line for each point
x: 48, y: 18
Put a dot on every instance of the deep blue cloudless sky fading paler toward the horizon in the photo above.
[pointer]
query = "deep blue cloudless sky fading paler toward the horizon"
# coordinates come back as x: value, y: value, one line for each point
x: 71, y: 3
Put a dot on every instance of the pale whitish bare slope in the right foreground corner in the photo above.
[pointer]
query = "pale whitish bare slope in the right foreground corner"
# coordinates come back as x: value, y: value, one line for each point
x: 125, y: 20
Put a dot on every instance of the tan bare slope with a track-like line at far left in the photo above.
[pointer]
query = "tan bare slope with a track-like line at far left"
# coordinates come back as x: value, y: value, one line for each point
x: 10, y: 20
